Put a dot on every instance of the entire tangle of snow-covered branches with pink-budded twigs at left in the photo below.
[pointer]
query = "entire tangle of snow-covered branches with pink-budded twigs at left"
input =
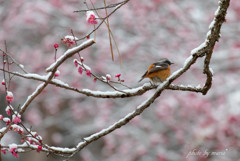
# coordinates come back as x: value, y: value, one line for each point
x: 204, y: 50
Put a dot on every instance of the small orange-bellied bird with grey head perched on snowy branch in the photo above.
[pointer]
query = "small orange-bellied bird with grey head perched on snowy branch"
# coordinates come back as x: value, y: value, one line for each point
x: 159, y: 71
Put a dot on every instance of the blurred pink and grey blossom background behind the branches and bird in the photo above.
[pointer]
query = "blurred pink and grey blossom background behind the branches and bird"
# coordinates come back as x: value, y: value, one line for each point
x: 174, y: 127
